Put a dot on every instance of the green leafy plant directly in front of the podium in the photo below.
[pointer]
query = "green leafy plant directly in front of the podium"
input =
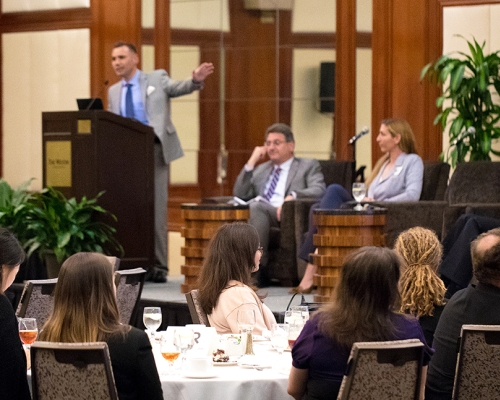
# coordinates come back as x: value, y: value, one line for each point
x: 66, y: 226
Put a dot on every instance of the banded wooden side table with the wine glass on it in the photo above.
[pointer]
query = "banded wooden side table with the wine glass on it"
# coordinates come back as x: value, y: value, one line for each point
x: 339, y: 233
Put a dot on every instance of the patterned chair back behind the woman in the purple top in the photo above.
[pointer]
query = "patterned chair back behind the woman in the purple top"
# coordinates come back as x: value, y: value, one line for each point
x: 383, y: 370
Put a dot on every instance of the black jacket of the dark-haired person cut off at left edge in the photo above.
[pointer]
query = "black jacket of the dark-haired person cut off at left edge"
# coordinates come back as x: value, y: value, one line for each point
x: 13, y: 378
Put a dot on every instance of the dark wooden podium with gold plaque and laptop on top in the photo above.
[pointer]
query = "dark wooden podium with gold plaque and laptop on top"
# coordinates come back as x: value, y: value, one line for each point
x: 85, y: 152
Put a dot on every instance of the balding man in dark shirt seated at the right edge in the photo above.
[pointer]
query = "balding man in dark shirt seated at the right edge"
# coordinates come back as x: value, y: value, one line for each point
x: 477, y: 304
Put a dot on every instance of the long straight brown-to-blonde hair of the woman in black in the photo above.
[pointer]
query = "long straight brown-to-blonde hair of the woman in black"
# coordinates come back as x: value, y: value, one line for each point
x: 85, y: 308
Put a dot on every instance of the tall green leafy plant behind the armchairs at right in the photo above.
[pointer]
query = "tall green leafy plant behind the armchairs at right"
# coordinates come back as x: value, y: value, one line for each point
x: 468, y: 107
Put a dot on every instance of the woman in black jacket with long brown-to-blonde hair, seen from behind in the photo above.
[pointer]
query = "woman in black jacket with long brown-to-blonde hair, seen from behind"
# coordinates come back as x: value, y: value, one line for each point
x: 85, y: 310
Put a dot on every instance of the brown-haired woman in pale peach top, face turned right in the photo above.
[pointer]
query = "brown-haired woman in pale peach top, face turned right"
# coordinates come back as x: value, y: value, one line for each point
x: 225, y: 279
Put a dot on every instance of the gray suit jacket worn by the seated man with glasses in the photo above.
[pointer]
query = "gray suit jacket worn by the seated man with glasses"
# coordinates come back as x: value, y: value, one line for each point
x: 304, y: 178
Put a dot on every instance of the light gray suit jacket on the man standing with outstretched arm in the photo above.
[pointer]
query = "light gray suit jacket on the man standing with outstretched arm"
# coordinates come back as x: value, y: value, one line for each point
x: 157, y: 88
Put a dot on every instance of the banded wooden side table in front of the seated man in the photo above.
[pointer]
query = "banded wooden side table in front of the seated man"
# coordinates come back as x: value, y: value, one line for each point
x: 201, y: 221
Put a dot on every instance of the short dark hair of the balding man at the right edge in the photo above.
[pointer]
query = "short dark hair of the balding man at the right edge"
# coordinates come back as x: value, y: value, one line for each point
x: 486, y: 263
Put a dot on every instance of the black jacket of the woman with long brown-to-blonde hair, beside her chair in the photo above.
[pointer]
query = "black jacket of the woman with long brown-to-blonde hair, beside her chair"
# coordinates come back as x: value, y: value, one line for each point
x: 134, y: 367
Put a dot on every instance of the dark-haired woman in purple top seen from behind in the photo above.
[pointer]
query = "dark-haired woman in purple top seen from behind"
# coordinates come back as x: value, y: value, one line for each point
x: 363, y: 309
